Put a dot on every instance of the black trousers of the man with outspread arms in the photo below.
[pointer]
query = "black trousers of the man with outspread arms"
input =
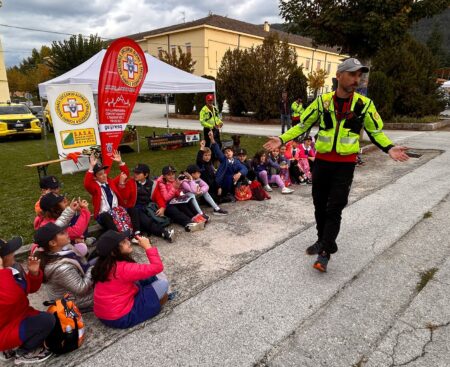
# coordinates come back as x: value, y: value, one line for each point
x: 330, y: 190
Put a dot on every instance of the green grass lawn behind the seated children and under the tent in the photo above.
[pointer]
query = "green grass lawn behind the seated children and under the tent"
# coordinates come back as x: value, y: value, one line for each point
x: 20, y: 185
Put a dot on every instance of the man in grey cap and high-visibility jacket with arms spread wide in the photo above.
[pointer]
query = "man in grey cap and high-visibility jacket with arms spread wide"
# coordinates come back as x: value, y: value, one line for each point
x: 341, y: 115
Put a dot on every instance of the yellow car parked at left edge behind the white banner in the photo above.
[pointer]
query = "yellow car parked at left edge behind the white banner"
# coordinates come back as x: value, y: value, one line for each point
x: 17, y: 119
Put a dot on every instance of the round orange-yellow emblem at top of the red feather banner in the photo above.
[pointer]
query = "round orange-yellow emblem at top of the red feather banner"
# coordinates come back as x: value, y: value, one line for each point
x: 130, y: 66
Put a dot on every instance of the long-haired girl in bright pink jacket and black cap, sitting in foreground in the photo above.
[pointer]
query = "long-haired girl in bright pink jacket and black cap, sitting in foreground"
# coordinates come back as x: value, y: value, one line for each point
x: 127, y: 293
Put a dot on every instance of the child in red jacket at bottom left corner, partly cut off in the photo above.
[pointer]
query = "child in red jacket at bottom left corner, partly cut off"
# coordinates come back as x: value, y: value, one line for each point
x: 21, y: 326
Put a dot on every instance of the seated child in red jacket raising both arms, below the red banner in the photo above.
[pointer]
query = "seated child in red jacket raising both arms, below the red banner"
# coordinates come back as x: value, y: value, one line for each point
x: 111, y: 209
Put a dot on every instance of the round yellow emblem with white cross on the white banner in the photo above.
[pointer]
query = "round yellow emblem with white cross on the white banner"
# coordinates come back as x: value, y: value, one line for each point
x: 73, y: 108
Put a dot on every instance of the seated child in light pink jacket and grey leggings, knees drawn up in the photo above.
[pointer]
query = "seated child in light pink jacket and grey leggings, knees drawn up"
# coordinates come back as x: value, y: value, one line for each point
x: 193, y: 185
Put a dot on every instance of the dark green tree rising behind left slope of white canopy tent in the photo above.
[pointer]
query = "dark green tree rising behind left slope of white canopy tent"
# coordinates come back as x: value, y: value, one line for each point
x: 72, y: 52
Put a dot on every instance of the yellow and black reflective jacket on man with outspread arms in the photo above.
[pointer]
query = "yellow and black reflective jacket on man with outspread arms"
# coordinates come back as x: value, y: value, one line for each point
x: 363, y: 115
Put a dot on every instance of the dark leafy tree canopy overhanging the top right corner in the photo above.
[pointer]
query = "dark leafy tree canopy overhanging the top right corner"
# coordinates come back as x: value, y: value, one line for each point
x: 359, y: 28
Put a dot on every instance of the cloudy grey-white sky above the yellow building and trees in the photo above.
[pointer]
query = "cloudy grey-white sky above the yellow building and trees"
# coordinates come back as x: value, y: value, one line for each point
x: 111, y: 18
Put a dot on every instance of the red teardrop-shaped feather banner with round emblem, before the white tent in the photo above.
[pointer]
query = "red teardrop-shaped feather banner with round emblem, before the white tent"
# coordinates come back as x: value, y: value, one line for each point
x: 122, y: 74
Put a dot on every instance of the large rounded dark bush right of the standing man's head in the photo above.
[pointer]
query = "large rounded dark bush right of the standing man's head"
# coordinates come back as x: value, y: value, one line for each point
x: 410, y: 67
